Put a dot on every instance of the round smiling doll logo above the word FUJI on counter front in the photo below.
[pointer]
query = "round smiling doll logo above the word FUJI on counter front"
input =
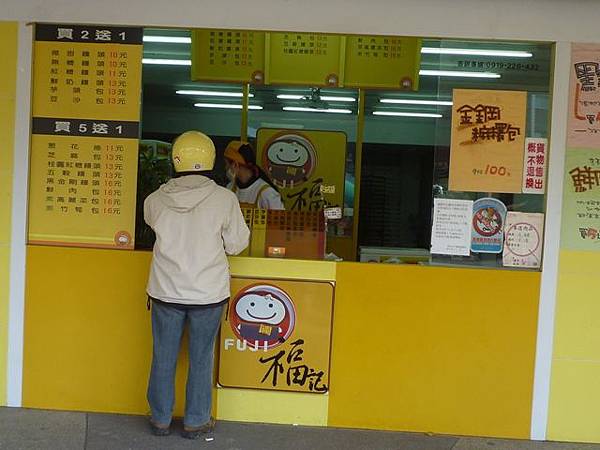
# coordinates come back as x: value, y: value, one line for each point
x: 263, y: 315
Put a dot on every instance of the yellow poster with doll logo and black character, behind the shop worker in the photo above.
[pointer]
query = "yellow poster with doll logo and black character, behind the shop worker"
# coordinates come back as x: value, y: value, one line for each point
x: 307, y: 166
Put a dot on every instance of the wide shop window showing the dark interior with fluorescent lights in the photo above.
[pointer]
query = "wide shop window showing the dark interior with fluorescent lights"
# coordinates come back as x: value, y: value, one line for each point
x: 391, y: 148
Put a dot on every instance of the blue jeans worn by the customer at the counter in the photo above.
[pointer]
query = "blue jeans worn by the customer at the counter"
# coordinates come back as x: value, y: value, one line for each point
x: 168, y: 323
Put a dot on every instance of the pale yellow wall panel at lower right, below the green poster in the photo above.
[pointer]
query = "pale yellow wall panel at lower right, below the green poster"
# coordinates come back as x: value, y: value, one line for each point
x: 575, y: 383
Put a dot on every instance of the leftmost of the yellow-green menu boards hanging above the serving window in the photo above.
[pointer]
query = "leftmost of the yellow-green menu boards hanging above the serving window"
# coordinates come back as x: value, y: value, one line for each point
x: 228, y: 55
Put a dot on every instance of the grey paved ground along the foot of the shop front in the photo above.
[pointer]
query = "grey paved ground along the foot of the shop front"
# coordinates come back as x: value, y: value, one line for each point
x: 34, y: 429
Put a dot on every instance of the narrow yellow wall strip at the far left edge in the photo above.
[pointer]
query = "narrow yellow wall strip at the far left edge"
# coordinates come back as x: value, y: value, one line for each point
x: 8, y: 56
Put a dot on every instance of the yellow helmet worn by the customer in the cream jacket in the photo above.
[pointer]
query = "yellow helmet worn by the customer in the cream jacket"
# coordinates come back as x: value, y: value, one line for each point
x: 193, y: 151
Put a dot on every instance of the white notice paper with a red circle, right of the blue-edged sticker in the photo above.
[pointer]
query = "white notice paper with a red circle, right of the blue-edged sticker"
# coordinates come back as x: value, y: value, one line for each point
x: 523, y: 240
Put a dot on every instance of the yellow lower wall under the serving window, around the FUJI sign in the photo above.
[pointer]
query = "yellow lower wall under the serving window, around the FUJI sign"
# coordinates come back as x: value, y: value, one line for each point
x: 414, y: 348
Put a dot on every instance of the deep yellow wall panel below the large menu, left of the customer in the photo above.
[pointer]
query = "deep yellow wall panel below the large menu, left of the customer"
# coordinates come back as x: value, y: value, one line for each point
x: 87, y: 330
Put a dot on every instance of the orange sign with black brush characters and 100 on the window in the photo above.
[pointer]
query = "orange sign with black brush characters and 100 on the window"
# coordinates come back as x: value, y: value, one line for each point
x: 488, y: 138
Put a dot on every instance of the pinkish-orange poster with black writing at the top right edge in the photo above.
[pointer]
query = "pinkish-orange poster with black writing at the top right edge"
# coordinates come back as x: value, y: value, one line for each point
x: 584, y: 97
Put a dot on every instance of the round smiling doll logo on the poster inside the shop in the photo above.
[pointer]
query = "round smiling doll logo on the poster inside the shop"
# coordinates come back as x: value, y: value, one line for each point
x: 290, y: 159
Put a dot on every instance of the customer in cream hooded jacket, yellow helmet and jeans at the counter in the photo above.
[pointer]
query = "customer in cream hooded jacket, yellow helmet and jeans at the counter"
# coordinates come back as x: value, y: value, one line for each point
x: 197, y: 224
